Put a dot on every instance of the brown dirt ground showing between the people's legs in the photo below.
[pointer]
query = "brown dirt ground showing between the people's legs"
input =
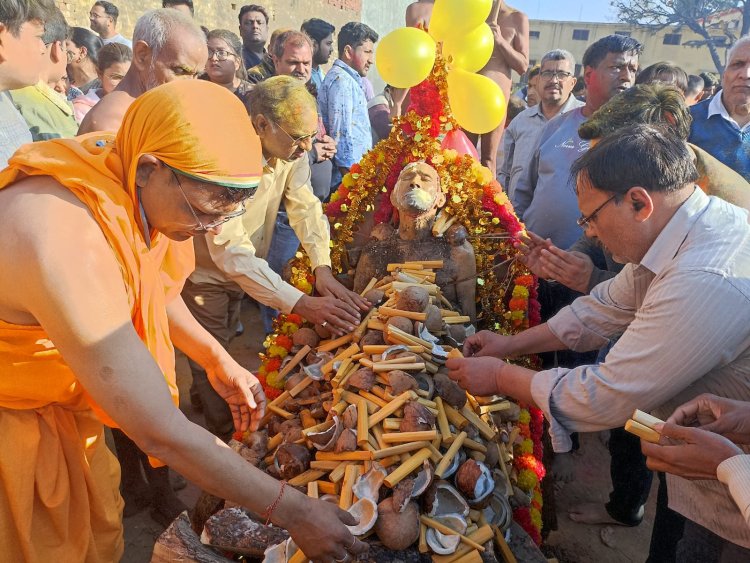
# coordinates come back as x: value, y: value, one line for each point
x: 571, y: 543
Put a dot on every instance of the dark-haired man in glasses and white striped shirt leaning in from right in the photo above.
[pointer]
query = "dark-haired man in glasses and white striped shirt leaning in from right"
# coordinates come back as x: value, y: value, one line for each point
x: 681, y: 303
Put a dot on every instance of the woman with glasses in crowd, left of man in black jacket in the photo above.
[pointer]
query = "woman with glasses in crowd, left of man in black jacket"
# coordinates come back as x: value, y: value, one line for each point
x: 224, y: 66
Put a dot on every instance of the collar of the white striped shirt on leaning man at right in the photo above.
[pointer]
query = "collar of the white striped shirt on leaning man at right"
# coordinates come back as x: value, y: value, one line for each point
x: 668, y: 243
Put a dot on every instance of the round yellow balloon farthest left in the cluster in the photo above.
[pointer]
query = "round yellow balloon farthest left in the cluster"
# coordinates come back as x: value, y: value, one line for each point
x: 405, y: 57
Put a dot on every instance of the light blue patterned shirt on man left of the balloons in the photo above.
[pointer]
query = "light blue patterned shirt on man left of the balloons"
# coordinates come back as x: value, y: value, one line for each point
x: 343, y: 108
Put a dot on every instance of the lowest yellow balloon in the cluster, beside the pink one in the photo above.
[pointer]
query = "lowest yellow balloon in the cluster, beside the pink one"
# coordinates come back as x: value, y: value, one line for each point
x: 477, y: 102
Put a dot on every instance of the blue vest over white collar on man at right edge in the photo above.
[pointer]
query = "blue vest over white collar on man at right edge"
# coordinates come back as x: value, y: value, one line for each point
x: 719, y: 135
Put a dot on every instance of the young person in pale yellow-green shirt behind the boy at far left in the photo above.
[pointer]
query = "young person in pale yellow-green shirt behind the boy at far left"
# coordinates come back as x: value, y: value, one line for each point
x: 48, y: 114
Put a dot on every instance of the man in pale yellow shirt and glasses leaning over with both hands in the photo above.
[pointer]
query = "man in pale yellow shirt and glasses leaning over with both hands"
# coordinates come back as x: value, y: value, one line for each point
x: 245, y: 256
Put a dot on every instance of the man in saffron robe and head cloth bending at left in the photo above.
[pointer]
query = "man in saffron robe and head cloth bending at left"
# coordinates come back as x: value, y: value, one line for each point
x: 90, y: 310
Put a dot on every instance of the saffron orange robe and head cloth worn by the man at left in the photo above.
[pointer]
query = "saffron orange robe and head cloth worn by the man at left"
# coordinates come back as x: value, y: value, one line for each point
x: 58, y: 482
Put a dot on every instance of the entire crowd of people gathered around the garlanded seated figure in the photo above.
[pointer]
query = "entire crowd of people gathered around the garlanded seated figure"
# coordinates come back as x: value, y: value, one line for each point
x: 632, y: 184
